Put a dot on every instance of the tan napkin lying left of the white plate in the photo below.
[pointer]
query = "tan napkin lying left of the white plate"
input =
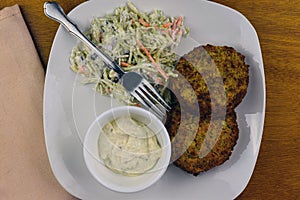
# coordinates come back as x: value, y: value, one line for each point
x: 24, y: 167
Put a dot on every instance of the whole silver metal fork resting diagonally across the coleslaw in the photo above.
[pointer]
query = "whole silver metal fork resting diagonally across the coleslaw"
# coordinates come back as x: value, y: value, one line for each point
x: 133, y: 82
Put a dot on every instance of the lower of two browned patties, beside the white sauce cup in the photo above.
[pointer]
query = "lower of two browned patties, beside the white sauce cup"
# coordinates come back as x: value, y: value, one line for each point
x: 199, y: 145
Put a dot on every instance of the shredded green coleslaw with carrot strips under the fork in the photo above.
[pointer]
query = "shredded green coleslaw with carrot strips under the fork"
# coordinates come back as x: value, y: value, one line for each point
x: 139, y: 41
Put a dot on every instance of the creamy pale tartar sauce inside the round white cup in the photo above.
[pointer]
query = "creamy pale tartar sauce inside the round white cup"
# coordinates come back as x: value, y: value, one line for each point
x: 128, y: 147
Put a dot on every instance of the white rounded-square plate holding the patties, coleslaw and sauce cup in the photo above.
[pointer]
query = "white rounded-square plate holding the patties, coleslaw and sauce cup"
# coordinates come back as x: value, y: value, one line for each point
x: 70, y: 107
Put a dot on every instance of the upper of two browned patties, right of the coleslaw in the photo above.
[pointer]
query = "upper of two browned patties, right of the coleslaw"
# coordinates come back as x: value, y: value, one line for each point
x: 202, y: 68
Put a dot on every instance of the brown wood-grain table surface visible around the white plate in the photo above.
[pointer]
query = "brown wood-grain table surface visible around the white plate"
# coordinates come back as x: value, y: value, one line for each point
x: 277, y: 172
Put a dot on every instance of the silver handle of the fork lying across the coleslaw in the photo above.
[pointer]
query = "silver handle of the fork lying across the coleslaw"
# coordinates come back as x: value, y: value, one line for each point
x: 54, y: 11
